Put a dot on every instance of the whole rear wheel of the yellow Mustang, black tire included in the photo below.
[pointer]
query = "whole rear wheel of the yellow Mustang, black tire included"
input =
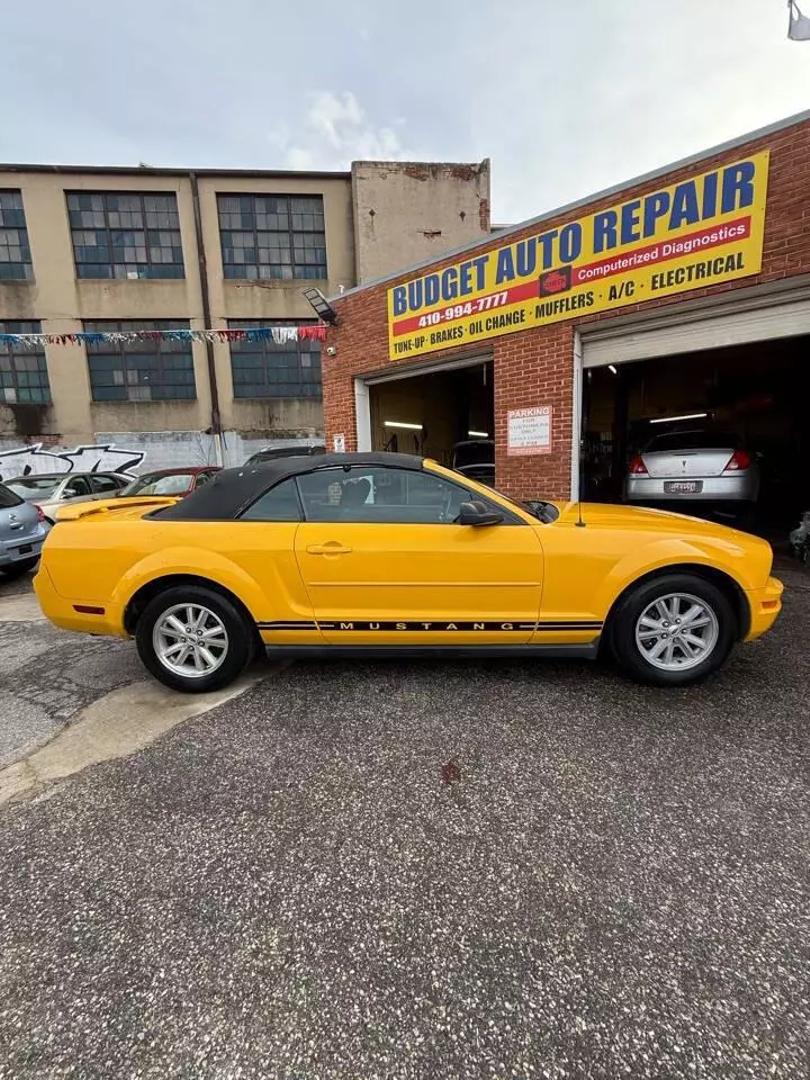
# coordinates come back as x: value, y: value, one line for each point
x: 156, y: 633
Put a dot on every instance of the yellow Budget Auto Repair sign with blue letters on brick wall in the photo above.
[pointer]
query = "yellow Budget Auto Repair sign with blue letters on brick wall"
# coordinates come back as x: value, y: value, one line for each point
x: 700, y: 232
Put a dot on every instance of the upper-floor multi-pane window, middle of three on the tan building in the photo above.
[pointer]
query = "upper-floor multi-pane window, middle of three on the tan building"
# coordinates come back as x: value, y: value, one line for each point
x: 126, y: 235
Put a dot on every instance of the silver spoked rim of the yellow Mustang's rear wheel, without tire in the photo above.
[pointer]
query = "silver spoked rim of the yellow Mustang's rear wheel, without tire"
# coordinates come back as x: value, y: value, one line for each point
x: 191, y: 640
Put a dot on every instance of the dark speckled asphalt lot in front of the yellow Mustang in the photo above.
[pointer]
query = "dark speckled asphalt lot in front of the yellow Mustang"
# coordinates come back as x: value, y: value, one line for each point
x: 429, y: 871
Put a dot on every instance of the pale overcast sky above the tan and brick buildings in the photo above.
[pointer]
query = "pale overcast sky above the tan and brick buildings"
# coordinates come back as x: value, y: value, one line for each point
x: 566, y: 97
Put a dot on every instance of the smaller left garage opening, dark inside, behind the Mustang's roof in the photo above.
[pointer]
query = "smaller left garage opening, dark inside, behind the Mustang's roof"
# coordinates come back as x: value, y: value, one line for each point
x: 447, y: 415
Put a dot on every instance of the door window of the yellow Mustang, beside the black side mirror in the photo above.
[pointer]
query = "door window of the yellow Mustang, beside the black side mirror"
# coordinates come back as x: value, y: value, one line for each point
x: 380, y: 495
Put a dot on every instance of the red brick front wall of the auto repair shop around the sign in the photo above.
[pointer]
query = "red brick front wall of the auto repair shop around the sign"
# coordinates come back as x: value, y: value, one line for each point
x: 536, y: 367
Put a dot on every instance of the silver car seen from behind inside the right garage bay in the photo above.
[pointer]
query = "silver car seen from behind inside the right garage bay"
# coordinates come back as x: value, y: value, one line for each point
x: 701, y: 467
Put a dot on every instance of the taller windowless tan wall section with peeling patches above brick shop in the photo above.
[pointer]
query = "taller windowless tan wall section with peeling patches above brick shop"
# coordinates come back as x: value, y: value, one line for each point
x: 409, y: 212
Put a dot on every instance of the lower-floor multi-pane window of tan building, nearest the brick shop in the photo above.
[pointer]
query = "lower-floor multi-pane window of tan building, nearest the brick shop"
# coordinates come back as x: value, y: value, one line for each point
x: 267, y: 370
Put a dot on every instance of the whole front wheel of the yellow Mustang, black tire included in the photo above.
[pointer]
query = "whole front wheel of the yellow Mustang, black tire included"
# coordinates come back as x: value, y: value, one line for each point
x: 638, y: 612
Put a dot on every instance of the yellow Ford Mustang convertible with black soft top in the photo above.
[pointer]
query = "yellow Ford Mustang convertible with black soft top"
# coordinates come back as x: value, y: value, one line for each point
x: 385, y: 553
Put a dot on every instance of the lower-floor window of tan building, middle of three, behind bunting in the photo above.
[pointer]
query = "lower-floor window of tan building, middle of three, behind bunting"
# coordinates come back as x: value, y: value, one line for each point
x: 142, y: 371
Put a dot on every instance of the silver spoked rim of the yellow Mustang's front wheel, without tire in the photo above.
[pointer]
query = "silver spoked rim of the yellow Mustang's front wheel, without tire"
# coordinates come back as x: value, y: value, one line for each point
x: 677, y: 632
